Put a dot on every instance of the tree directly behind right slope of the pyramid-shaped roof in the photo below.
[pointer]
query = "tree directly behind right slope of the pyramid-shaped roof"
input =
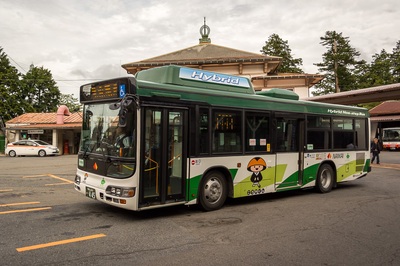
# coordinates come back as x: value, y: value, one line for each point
x: 275, y: 46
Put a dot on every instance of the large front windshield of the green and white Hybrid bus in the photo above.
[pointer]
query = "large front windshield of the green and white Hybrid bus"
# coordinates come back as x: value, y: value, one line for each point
x: 102, y: 133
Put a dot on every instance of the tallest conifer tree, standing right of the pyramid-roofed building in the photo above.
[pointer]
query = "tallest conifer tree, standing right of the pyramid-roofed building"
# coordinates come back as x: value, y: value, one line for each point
x: 339, y: 64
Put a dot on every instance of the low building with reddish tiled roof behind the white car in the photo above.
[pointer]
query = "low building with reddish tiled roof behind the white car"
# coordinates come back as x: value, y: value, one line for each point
x: 61, y: 129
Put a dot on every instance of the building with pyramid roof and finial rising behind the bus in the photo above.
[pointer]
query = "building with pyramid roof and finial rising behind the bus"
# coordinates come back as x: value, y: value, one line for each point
x: 260, y: 69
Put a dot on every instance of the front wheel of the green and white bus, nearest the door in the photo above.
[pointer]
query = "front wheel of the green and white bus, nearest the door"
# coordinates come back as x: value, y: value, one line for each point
x: 213, y: 191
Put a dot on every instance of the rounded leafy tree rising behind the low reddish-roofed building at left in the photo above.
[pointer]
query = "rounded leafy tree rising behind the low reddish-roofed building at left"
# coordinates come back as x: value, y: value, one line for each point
x: 40, y: 90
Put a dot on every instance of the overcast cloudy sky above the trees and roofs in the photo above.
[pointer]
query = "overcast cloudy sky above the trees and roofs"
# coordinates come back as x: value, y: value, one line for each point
x: 80, y: 41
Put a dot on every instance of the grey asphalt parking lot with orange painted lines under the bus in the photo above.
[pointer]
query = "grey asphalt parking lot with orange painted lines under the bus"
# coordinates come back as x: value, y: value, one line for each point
x: 44, y: 221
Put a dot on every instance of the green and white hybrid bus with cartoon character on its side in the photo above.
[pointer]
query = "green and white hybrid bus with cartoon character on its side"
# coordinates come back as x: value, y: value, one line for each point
x: 198, y: 137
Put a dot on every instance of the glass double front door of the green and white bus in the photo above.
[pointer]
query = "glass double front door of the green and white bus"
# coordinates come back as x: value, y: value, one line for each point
x: 163, y: 167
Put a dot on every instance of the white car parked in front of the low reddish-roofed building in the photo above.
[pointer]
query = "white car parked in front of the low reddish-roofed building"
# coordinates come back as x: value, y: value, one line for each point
x: 30, y: 147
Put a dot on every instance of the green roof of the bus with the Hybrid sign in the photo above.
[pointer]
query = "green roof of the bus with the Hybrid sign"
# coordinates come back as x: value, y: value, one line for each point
x: 231, y: 91
